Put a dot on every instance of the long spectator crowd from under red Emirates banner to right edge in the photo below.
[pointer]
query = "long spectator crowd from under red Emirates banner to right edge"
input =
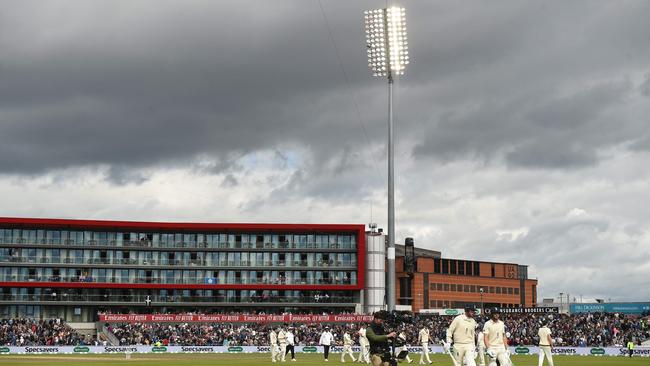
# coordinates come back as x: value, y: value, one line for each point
x: 580, y: 330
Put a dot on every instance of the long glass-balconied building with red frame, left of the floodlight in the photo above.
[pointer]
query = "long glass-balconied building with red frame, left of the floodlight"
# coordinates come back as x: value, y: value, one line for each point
x: 75, y: 269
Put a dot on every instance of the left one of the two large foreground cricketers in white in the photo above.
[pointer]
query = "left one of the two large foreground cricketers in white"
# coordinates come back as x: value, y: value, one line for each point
x: 462, y: 332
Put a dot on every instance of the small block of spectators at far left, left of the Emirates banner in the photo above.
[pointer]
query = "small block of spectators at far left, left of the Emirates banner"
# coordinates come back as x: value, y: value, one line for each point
x: 28, y: 332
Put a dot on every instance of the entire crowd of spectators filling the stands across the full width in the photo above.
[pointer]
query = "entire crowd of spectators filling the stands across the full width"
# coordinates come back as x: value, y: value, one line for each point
x: 578, y: 330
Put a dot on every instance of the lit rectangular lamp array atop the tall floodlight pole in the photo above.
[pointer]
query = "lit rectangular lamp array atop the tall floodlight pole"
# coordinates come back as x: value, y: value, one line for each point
x: 386, y: 41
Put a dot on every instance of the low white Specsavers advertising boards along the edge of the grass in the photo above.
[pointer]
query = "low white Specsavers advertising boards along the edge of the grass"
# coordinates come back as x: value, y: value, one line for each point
x: 573, y: 351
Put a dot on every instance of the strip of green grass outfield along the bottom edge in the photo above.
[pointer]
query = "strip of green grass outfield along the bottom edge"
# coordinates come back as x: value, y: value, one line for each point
x: 249, y: 359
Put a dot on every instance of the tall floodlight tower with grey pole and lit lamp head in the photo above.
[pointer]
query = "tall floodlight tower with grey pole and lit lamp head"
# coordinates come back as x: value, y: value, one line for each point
x: 387, y: 49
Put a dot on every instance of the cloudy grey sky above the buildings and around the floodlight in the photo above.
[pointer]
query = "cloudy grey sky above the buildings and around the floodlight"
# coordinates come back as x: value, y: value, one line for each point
x: 522, y: 126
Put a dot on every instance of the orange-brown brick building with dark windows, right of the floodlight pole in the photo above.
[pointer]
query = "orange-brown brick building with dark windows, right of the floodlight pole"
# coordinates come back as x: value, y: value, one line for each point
x: 443, y: 283
